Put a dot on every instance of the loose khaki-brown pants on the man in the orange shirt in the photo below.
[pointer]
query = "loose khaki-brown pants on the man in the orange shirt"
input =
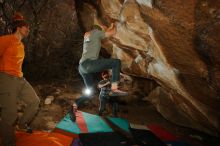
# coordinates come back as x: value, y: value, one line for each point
x: 11, y: 89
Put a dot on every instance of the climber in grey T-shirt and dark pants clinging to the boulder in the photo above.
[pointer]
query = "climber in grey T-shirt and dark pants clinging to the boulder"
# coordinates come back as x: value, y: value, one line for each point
x: 90, y: 62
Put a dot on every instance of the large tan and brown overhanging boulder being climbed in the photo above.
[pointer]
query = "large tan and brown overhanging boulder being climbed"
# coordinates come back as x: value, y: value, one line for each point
x: 175, y: 43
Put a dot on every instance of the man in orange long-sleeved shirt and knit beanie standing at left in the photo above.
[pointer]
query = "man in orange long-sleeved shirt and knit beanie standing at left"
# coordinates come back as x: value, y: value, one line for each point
x: 13, y: 85
